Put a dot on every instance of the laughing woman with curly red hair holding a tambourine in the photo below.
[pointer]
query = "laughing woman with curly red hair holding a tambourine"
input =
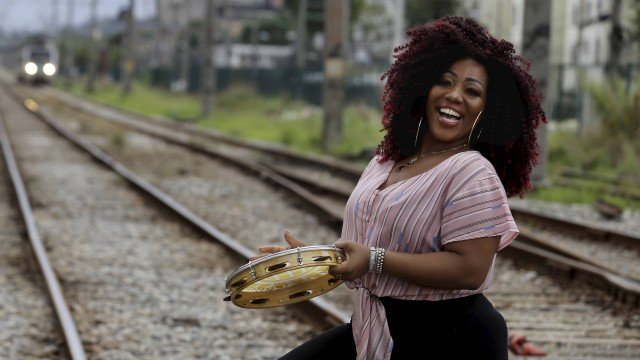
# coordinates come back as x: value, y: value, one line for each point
x: 424, y: 223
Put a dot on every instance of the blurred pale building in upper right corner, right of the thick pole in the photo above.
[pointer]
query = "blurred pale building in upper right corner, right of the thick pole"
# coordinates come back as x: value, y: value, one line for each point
x: 581, y: 51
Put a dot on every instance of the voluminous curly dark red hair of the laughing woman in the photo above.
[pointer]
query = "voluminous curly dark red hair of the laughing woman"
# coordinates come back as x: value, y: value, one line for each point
x: 513, y: 107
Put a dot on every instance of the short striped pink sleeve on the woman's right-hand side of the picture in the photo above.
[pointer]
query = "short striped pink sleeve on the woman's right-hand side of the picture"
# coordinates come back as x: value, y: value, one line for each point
x: 476, y: 207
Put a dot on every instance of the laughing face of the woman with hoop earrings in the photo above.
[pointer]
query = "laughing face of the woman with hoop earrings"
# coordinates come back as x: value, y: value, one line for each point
x: 455, y: 101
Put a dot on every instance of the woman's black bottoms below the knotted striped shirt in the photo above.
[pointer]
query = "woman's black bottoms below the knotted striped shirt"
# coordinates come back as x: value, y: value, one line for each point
x: 463, y: 328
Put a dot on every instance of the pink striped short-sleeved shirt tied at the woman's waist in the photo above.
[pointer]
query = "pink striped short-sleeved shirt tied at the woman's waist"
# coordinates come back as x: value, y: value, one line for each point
x: 459, y: 199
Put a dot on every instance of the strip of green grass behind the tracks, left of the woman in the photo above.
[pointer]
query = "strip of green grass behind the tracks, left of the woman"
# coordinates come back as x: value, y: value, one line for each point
x: 243, y: 113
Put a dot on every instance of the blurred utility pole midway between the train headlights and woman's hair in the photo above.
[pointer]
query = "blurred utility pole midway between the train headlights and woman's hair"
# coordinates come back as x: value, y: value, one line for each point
x: 209, y: 69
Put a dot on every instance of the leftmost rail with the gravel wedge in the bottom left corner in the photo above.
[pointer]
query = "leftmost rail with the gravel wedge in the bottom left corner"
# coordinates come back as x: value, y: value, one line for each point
x: 30, y: 324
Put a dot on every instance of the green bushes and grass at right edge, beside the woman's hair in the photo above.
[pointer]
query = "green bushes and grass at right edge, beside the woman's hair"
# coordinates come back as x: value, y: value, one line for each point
x: 611, y: 148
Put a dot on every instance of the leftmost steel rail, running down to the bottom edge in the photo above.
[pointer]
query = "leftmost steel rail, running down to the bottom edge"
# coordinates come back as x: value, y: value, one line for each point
x: 69, y: 329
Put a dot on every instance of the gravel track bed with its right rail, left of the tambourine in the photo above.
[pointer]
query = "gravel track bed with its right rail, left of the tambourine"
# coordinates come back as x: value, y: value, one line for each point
x: 141, y: 283
